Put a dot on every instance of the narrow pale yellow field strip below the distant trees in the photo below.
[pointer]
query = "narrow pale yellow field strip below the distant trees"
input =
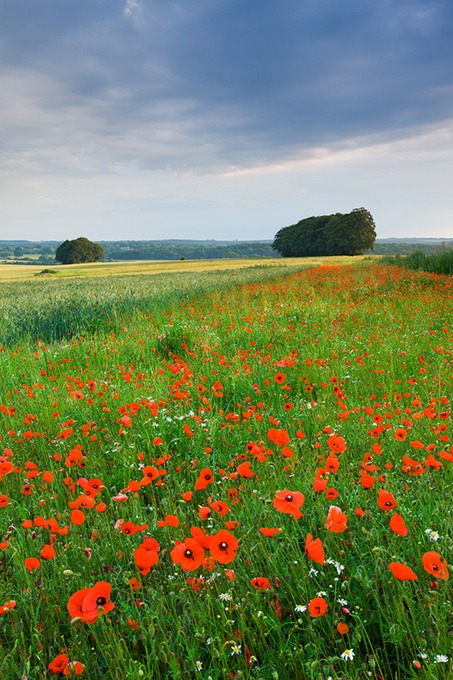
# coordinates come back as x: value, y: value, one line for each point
x: 24, y: 272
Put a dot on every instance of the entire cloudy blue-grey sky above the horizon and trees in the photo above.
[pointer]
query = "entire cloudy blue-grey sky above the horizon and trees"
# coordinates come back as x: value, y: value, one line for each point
x: 223, y: 119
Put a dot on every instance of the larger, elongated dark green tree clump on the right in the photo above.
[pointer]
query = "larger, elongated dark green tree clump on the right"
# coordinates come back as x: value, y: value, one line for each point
x: 339, y: 234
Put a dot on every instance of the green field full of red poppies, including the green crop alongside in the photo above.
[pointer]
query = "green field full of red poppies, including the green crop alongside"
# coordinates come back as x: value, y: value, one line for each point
x: 218, y: 474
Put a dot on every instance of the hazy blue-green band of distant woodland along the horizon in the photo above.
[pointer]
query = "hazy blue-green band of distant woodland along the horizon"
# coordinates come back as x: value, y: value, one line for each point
x: 43, y: 252
